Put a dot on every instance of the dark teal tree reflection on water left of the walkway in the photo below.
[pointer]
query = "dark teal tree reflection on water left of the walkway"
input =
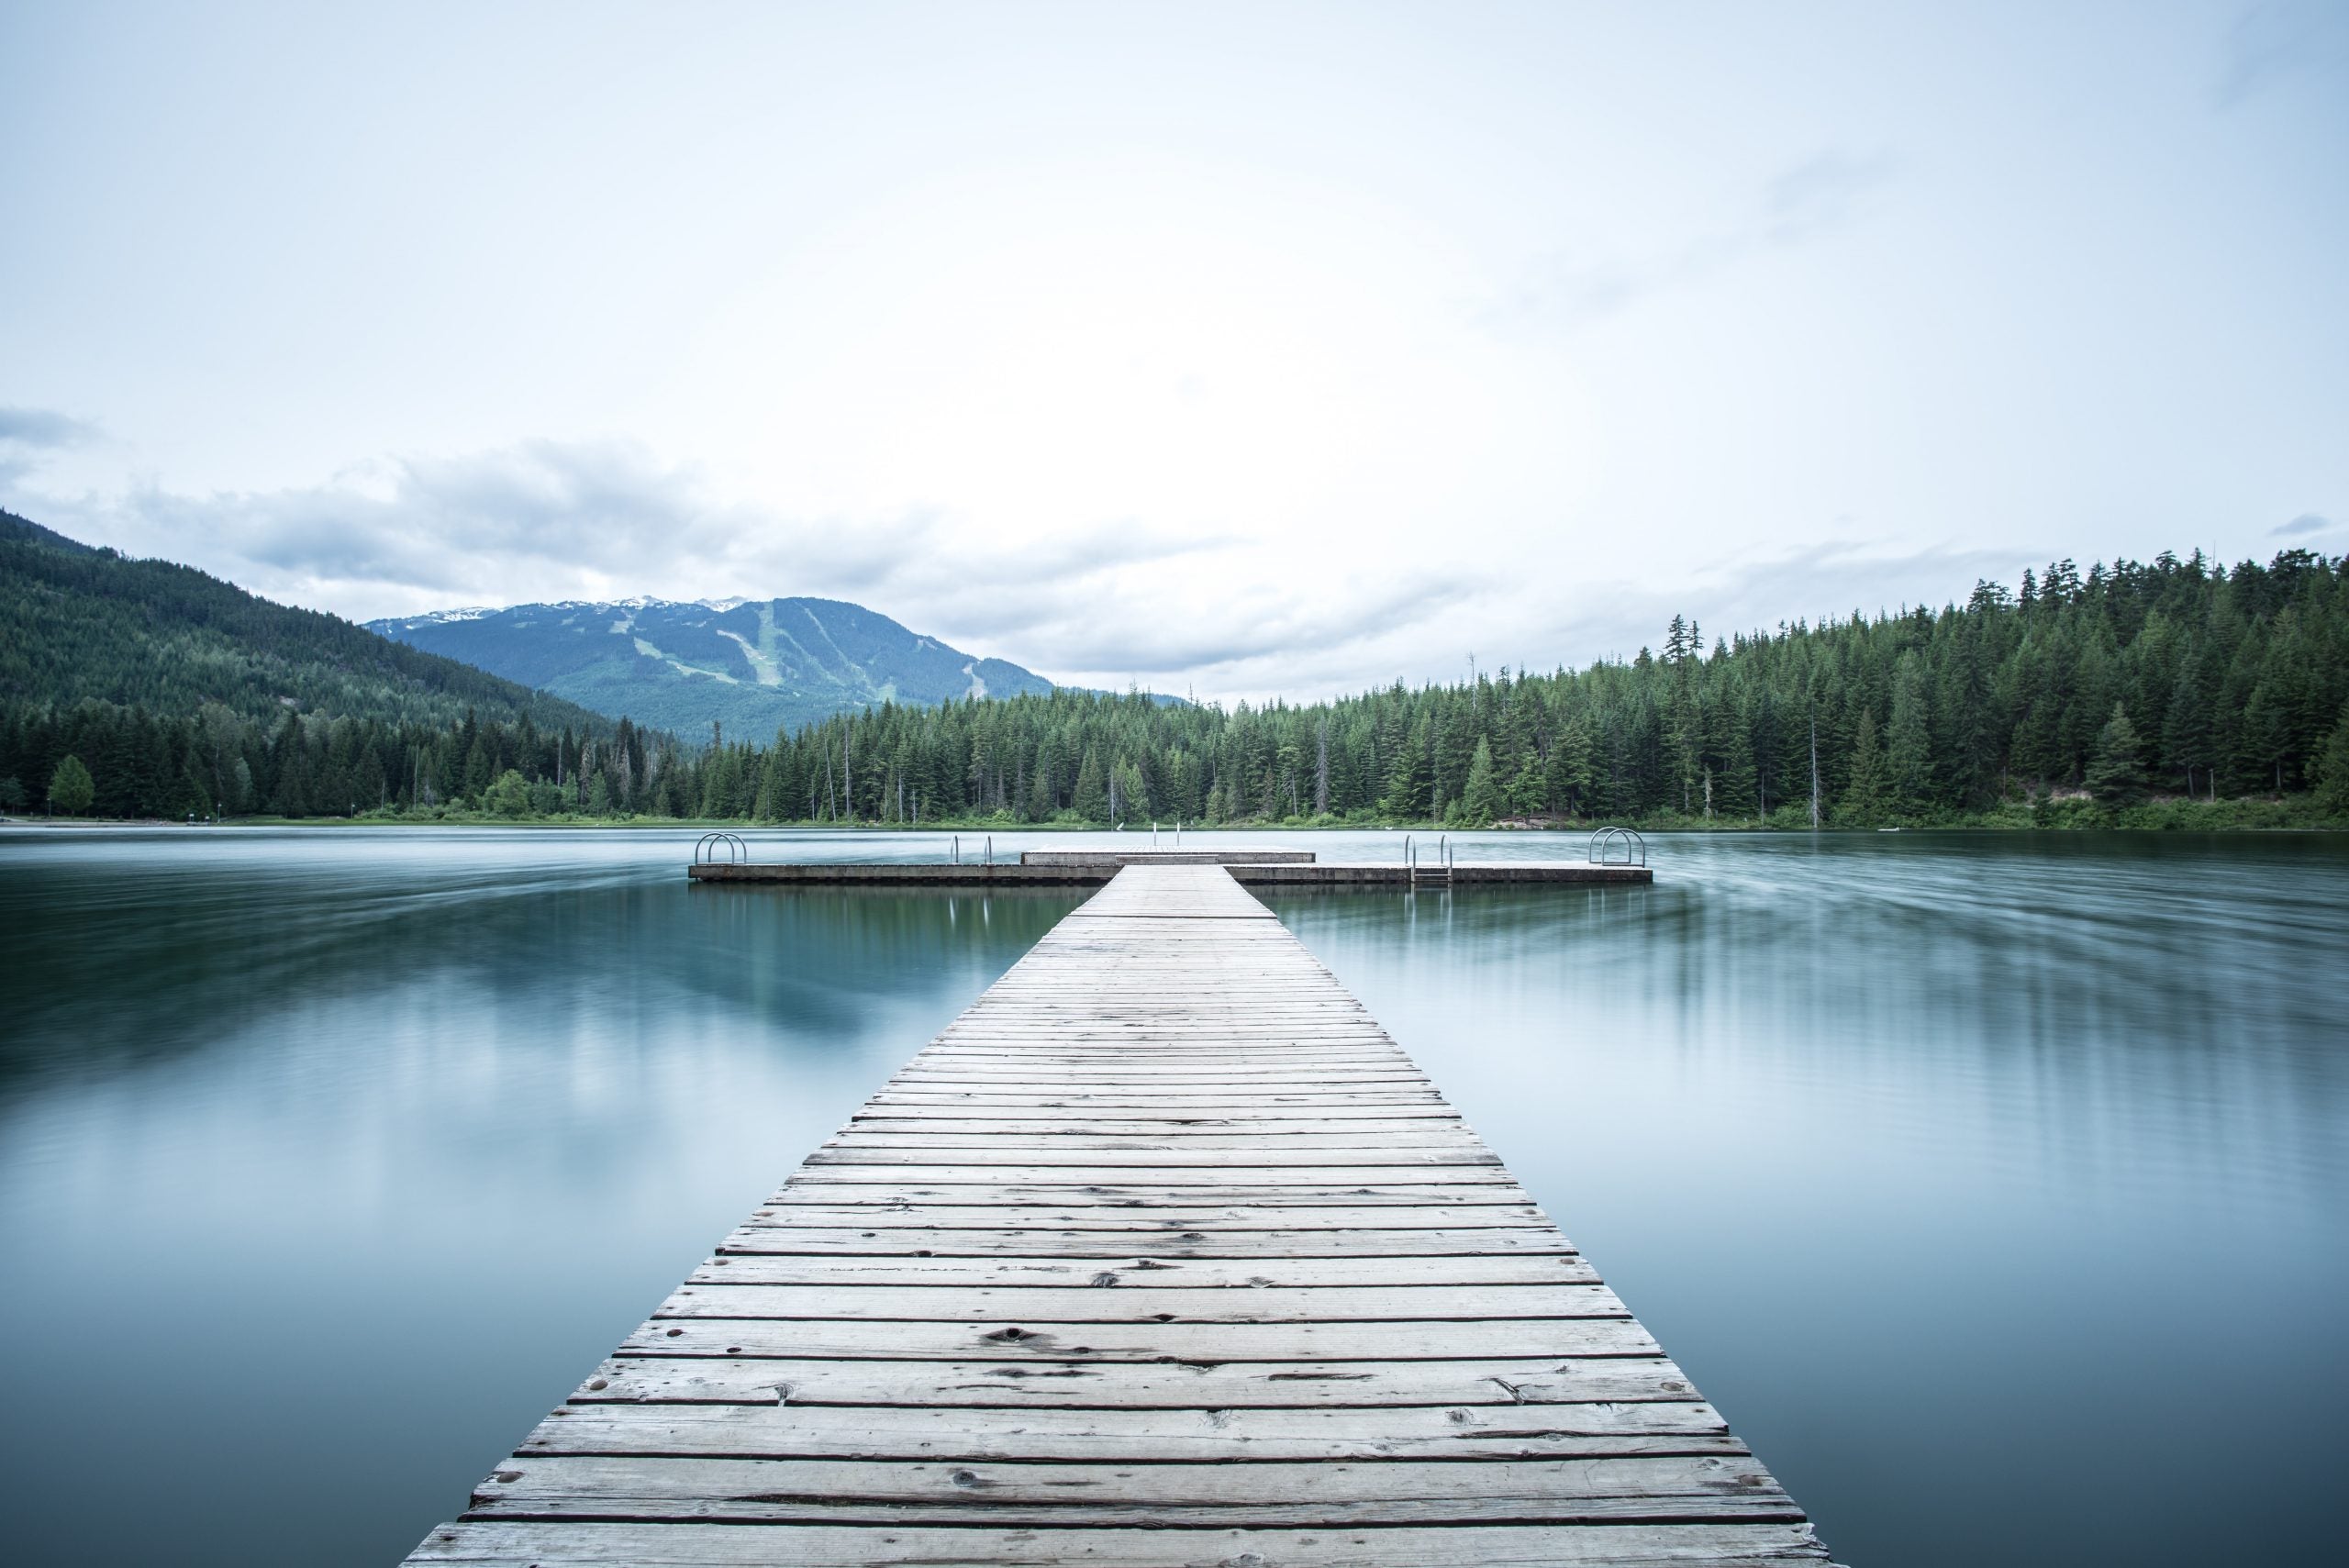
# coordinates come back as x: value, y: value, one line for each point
x: 121, y: 966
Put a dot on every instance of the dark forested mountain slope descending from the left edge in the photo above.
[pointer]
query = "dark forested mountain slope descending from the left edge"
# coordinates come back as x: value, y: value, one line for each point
x: 83, y: 623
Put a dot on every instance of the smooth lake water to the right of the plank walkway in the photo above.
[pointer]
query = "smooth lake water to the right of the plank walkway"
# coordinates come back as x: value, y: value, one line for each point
x: 1979, y: 1180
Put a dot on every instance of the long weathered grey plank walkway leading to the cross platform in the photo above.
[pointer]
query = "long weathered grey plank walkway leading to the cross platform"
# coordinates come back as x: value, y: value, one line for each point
x: 1164, y: 1255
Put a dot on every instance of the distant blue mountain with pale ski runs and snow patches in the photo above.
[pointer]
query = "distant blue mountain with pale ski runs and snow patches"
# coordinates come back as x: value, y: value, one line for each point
x: 753, y: 665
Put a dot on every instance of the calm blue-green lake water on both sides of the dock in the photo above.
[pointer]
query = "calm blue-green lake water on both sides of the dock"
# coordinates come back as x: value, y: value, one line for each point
x: 1995, y: 1187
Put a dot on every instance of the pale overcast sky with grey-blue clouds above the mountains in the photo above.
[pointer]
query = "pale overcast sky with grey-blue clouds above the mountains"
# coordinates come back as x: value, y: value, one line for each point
x: 1256, y: 351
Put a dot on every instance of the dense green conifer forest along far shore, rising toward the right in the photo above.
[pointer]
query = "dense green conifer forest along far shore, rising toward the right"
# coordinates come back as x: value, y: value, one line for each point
x: 2073, y: 698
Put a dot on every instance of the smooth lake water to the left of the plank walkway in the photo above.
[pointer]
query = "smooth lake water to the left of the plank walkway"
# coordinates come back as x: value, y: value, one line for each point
x: 328, y: 1163
